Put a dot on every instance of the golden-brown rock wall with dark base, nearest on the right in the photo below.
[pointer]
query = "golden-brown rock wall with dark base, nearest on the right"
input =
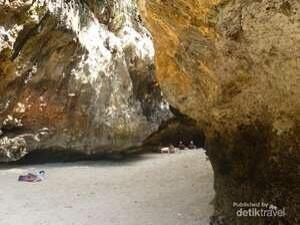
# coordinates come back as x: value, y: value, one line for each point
x: 234, y: 67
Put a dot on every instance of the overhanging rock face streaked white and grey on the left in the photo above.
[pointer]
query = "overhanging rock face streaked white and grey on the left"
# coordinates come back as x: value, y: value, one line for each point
x: 75, y: 76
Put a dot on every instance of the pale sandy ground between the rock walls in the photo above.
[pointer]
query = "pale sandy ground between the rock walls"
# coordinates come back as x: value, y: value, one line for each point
x: 151, y: 189
